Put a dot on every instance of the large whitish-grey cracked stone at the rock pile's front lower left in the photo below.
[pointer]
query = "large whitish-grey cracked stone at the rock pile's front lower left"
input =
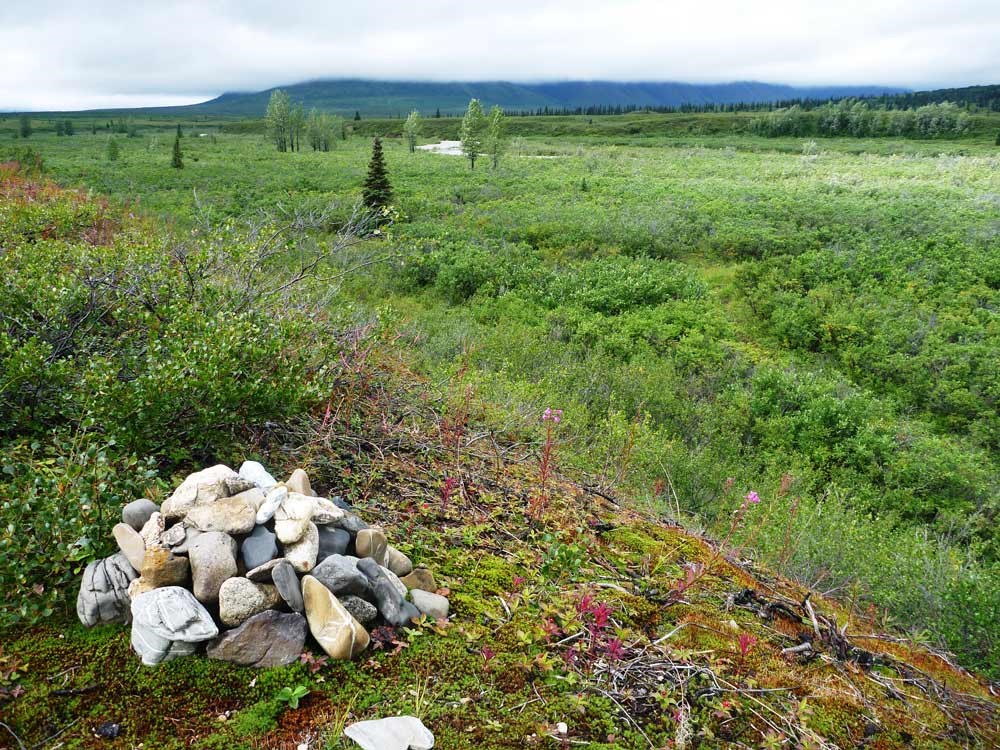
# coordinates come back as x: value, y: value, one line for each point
x: 167, y: 623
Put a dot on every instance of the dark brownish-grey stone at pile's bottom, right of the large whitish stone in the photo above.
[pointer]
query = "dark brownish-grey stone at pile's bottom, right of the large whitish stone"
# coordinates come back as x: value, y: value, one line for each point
x: 268, y: 639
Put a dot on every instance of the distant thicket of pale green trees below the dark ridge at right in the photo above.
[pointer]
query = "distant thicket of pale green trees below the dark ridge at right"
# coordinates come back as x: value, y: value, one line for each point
x: 859, y: 119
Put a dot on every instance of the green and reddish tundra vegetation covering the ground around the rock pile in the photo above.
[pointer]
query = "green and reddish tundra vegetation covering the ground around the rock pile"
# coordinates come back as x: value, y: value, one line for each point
x: 719, y: 316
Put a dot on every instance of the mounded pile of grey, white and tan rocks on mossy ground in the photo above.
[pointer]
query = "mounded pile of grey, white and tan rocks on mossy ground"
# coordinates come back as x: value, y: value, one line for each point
x: 250, y: 566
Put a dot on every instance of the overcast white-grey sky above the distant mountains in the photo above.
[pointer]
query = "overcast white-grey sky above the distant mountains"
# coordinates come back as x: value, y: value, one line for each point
x: 64, y: 54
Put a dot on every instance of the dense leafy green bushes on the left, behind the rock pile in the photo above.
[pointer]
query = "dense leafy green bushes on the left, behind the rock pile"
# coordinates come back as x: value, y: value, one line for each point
x: 117, y: 345
